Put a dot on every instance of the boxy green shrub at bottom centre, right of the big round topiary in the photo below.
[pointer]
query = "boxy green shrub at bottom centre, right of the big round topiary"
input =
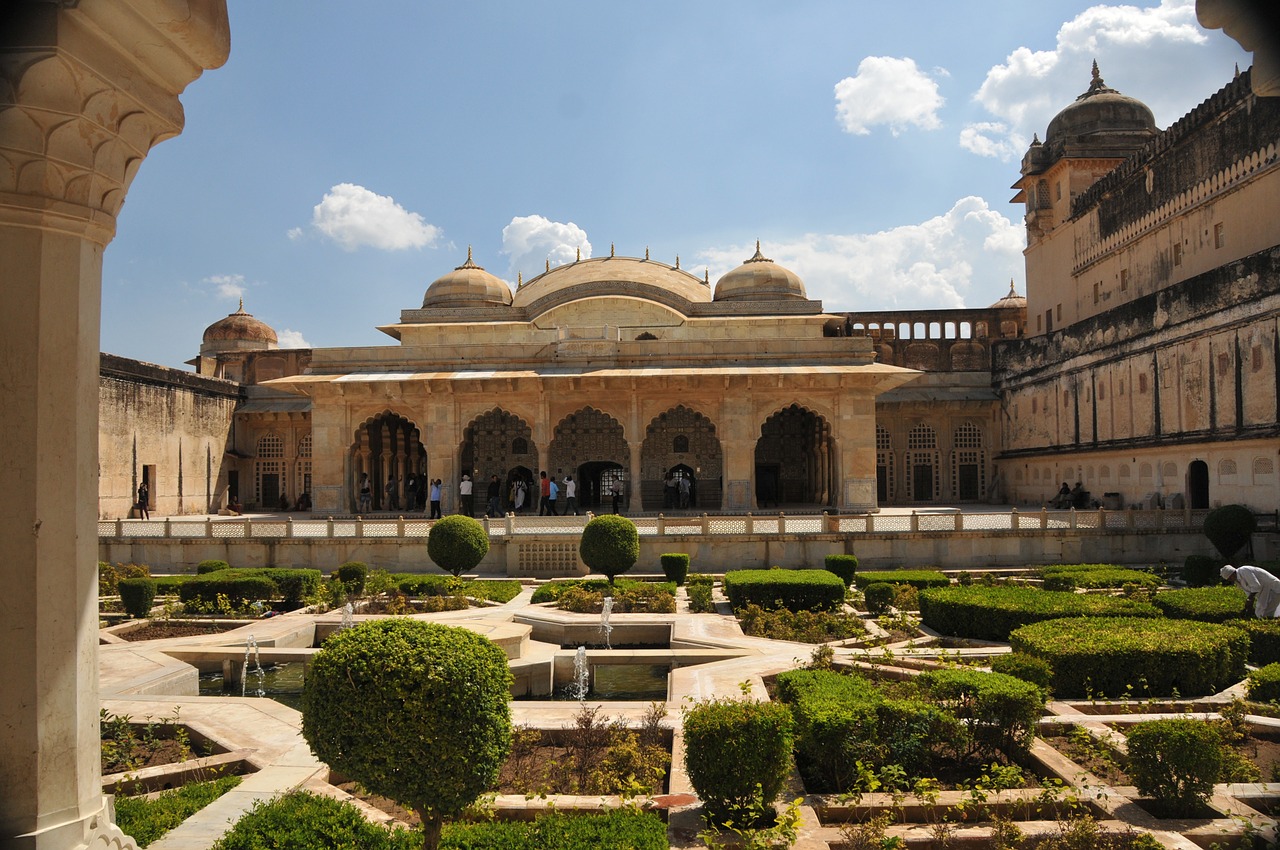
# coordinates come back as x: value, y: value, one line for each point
x: 738, y: 755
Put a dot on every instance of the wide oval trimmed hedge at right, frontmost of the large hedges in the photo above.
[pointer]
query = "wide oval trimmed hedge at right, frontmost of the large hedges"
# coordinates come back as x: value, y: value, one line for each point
x: 1117, y: 656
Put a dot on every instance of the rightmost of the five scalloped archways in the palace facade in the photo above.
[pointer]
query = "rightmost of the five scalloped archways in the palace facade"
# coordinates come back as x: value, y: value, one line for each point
x: 796, y: 460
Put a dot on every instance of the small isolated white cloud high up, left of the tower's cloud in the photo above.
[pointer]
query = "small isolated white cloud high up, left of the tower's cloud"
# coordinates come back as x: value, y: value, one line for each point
x: 888, y: 92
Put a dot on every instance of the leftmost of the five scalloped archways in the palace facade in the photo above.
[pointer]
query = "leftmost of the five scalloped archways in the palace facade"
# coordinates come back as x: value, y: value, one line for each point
x: 388, y: 447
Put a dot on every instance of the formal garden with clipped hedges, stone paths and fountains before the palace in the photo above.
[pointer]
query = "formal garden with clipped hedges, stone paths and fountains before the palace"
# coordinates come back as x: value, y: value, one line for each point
x: 1072, y: 706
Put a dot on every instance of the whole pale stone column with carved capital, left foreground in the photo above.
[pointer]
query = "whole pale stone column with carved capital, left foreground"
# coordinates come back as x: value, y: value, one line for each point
x: 86, y: 90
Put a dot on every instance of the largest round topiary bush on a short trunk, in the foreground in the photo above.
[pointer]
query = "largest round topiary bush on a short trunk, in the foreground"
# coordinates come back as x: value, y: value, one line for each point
x: 417, y: 712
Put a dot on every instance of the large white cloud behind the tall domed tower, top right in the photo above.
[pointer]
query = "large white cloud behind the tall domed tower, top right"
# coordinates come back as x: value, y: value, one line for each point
x: 1140, y: 51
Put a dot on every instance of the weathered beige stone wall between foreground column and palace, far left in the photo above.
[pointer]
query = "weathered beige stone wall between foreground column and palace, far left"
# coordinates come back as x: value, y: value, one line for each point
x: 168, y: 426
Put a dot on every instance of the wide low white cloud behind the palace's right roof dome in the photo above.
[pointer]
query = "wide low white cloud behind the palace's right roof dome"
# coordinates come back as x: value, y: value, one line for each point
x: 962, y: 258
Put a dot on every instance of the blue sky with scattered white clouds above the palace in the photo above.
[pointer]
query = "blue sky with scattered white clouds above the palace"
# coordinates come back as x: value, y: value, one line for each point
x: 348, y: 156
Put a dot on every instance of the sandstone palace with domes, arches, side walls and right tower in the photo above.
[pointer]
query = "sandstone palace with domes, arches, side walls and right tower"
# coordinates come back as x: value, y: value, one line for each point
x: 1141, y: 363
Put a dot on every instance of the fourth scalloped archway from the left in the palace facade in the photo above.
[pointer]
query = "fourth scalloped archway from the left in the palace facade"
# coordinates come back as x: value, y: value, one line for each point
x: 682, y: 438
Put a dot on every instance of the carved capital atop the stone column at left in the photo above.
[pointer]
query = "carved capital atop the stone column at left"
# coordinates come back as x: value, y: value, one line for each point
x: 86, y: 92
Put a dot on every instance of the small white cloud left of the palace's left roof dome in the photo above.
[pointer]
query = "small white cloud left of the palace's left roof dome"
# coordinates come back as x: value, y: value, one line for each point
x: 354, y: 217
